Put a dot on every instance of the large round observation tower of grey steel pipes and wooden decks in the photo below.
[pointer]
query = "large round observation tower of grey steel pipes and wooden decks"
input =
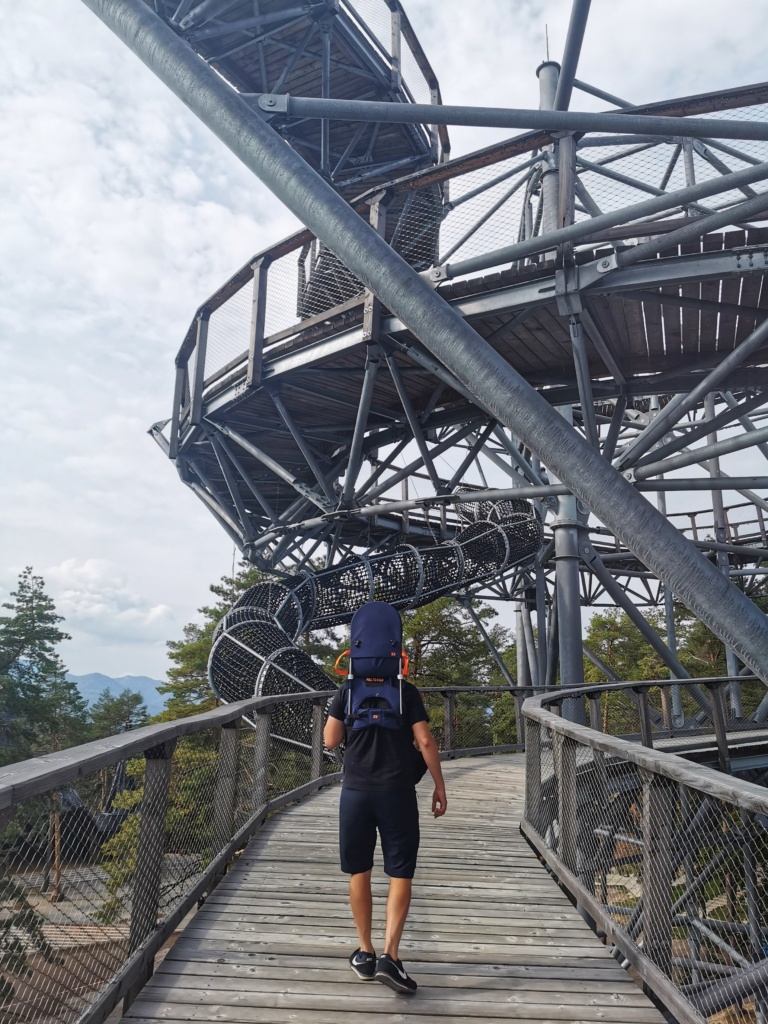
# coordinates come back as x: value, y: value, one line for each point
x: 540, y: 365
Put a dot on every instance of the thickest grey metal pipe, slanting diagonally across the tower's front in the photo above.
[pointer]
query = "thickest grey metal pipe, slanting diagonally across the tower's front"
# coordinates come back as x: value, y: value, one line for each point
x: 497, y: 388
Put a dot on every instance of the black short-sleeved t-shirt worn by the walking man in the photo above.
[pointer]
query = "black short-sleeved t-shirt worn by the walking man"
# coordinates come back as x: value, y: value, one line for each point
x: 376, y: 758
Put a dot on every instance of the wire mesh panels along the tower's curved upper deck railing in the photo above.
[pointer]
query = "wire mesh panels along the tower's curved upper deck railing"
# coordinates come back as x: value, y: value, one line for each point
x: 472, y: 212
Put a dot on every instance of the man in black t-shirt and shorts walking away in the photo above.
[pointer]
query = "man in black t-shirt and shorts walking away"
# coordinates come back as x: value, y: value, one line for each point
x: 378, y: 795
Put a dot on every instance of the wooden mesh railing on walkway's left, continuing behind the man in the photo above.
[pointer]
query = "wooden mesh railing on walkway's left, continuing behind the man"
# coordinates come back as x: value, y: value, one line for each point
x: 106, y: 848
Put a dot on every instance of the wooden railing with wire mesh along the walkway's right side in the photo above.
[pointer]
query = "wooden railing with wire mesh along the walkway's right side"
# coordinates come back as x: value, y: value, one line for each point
x: 667, y: 857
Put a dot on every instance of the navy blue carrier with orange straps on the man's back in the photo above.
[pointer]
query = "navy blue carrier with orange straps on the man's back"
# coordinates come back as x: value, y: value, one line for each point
x: 374, y: 685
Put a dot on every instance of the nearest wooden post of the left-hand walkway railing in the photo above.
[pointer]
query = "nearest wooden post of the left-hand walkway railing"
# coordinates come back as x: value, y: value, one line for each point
x: 150, y: 851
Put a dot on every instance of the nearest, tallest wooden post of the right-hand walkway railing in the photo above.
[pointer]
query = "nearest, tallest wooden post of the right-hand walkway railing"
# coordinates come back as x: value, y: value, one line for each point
x: 659, y: 829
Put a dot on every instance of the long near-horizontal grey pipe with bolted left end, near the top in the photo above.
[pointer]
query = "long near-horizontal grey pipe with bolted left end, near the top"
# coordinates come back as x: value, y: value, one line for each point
x: 500, y: 117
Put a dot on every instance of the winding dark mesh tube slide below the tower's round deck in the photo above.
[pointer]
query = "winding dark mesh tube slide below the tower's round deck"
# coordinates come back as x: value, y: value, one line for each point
x: 254, y: 651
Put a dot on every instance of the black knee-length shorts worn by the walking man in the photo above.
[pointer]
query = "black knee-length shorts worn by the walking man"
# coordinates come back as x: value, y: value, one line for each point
x: 395, y: 815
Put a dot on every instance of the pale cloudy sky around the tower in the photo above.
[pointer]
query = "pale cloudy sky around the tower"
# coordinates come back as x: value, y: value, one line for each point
x: 120, y: 214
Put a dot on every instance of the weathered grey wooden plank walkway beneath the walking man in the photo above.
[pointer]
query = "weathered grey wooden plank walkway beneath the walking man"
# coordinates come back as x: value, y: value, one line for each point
x: 490, y: 937
